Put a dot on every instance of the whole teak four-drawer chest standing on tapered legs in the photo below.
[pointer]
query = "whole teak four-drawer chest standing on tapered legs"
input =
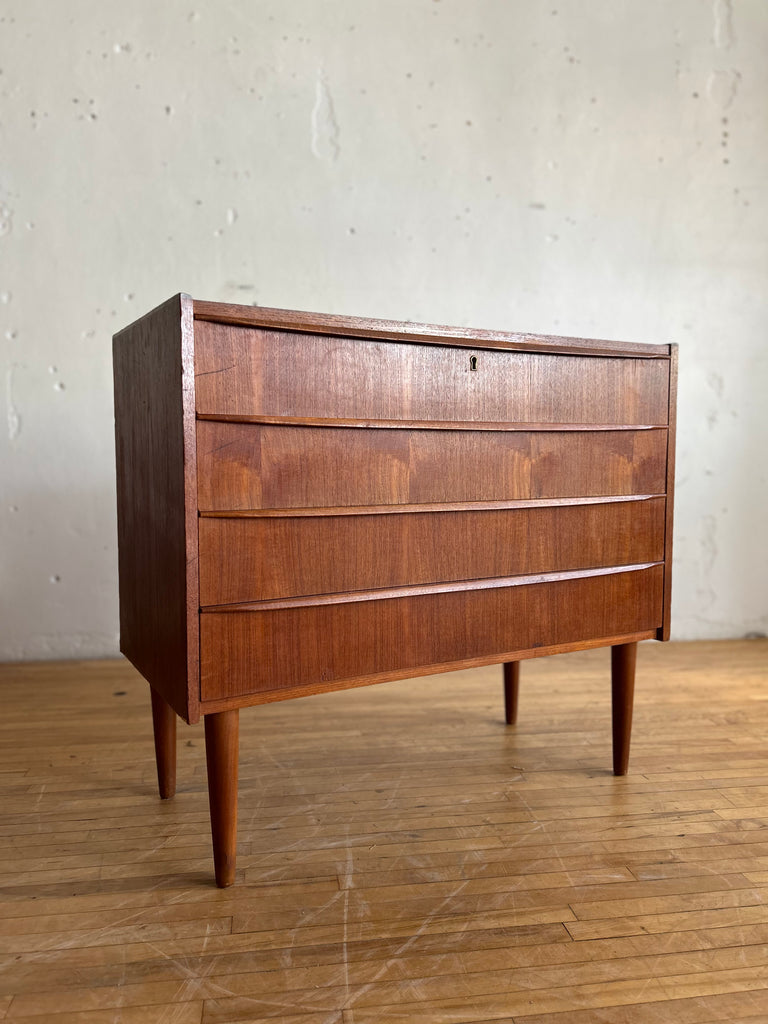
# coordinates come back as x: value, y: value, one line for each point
x: 309, y: 503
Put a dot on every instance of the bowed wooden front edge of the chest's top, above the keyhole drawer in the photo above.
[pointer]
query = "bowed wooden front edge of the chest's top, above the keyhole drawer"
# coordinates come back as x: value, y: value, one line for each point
x: 362, y: 327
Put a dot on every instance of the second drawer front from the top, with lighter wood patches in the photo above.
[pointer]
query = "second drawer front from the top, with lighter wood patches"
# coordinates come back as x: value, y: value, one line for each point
x: 252, y: 466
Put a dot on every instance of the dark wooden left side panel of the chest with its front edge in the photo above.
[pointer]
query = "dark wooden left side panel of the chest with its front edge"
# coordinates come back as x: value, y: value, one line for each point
x: 157, y: 497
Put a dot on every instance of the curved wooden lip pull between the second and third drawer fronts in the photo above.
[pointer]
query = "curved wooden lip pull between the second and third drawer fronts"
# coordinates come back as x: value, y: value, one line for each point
x: 342, y: 510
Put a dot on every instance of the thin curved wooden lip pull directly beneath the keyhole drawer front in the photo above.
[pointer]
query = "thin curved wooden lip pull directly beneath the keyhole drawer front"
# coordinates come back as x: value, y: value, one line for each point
x: 374, y: 424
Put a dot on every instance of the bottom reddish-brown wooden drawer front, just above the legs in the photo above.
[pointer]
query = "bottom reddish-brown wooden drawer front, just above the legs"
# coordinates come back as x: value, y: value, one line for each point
x: 253, y: 652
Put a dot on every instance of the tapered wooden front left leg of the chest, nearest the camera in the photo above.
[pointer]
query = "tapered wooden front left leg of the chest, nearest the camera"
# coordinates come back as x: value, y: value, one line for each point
x: 222, y: 757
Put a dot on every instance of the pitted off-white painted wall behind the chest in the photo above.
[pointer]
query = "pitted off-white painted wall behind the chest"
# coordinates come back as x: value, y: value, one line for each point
x: 594, y: 167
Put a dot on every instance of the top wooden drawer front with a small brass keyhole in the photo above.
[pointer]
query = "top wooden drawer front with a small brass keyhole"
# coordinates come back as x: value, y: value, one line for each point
x: 258, y: 372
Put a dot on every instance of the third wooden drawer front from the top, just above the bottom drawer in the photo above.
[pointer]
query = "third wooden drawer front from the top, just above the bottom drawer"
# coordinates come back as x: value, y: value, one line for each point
x: 263, y: 560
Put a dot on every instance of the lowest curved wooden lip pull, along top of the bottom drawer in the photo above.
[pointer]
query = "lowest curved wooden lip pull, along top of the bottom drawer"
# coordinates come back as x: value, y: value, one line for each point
x: 393, y: 593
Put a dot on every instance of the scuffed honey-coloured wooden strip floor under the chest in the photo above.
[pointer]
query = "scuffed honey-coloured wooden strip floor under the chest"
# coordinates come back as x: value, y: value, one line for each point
x: 404, y: 857
